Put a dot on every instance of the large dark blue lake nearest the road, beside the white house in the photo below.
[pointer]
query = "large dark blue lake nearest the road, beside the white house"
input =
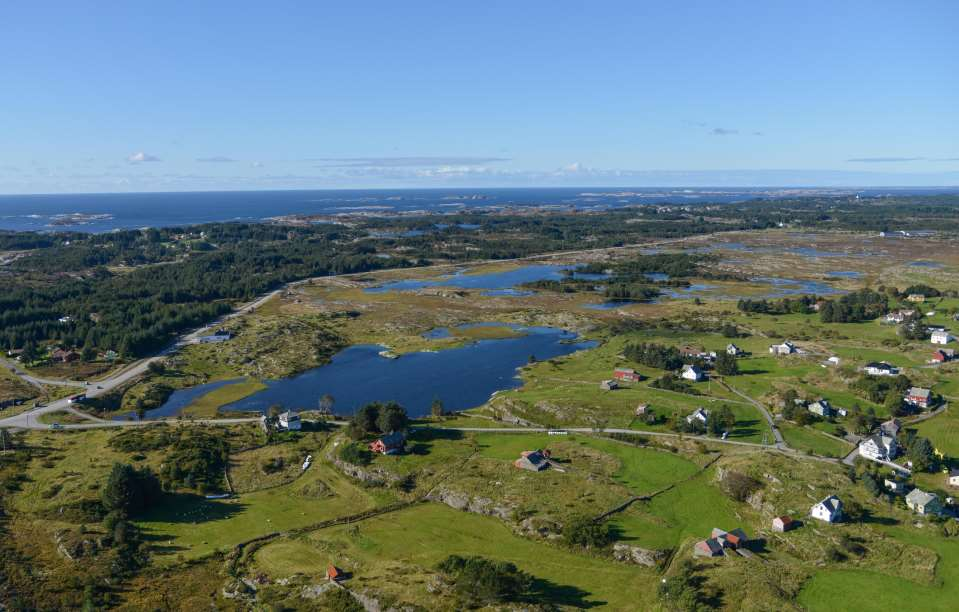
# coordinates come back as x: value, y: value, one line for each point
x: 463, y: 377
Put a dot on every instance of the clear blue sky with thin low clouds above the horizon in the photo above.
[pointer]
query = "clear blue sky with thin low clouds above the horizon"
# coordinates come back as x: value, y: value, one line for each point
x: 134, y: 96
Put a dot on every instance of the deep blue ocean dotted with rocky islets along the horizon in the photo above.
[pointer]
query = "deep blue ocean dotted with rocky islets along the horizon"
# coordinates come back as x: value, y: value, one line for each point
x: 107, y: 212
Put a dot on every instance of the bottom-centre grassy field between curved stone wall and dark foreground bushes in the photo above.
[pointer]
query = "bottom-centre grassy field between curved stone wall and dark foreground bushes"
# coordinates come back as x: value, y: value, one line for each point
x: 396, y: 553
